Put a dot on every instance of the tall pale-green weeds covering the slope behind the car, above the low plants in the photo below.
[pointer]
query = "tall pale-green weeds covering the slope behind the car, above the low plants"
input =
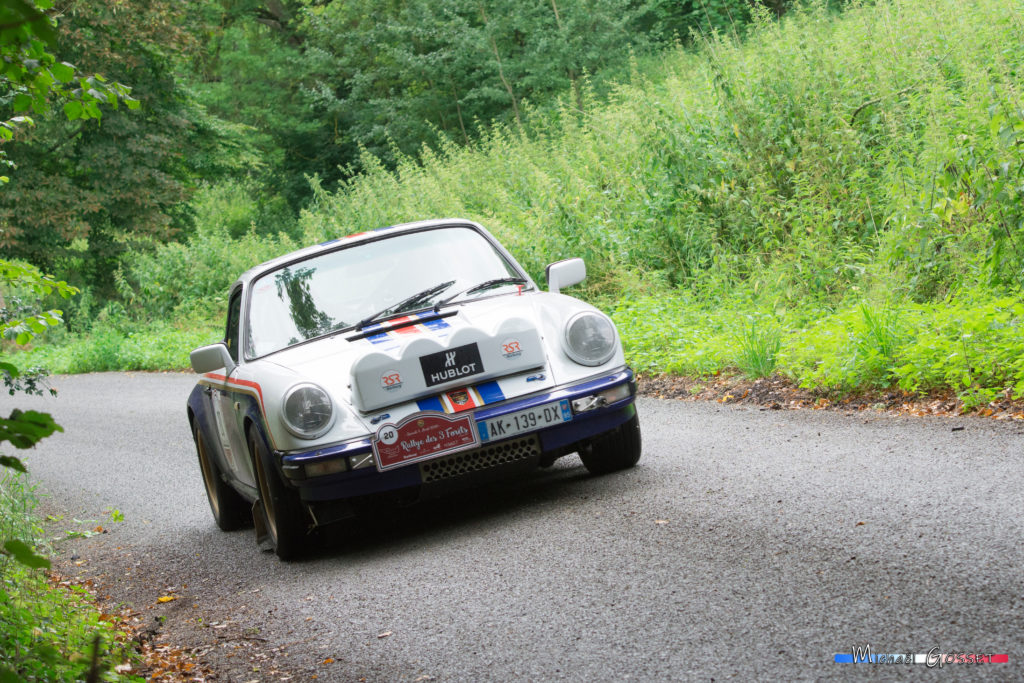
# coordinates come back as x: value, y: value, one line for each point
x: 791, y: 163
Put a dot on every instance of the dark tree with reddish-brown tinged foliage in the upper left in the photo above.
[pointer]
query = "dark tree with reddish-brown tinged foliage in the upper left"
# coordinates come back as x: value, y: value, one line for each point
x: 87, y: 191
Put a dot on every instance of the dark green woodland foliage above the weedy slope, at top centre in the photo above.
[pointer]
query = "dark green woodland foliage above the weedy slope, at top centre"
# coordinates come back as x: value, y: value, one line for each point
x: 324, y: 81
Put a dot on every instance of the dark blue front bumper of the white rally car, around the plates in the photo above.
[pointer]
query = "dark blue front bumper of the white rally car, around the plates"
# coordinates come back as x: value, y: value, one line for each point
x: 598, y: 419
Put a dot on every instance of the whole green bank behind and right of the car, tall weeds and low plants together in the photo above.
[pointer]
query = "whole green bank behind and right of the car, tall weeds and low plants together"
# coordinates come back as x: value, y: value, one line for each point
x: 851, y: 186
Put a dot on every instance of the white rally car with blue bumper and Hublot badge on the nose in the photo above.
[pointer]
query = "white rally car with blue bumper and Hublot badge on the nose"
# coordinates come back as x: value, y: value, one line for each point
x: 396, y: 365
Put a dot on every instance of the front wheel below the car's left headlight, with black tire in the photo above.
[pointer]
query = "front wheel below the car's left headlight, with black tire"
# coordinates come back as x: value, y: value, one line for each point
x: 283, y: 515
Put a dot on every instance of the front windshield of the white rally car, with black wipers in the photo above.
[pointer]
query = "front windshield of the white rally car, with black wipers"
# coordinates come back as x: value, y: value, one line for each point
x: 339, y: 290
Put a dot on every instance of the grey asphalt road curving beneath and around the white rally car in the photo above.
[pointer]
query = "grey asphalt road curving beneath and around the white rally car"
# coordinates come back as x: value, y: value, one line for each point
x: 747, y: 545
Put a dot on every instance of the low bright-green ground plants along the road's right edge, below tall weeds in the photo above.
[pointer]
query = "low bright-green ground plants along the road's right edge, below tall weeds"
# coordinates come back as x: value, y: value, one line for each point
x: 972, y: 345
